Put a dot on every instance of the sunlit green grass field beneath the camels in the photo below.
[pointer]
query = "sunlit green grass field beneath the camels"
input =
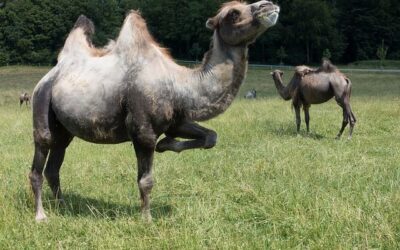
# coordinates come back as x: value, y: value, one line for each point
x: 261, y: 187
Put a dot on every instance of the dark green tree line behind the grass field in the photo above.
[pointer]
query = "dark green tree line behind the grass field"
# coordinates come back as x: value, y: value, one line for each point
x: 33, y: 31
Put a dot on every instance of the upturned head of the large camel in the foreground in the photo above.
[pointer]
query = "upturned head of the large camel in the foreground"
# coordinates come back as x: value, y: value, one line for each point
x: 239, y: 23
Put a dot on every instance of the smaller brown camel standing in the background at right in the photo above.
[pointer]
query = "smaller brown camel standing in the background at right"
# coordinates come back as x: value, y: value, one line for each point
x: 314, y: 86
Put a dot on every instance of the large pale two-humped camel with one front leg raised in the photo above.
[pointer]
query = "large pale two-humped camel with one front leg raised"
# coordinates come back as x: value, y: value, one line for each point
x: 132, y: 90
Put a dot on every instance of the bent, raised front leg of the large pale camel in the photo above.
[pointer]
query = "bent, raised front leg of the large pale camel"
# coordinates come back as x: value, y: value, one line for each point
x: 202, y: 138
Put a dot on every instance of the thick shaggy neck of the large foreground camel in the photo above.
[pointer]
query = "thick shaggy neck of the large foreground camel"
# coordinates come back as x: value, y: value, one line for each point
x: 218, y: 80
